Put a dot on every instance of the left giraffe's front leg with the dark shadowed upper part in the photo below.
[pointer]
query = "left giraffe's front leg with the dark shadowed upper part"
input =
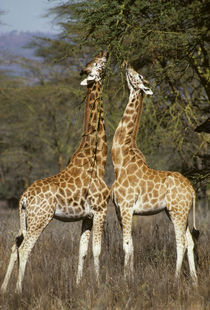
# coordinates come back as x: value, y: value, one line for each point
x: 83, y: 247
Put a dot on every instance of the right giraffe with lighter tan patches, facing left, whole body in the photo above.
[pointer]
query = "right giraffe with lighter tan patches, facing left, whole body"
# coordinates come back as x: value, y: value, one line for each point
x: 140, y: 190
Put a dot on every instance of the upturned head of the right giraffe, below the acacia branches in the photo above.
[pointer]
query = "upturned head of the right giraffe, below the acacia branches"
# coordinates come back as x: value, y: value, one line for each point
x: 136, y: 81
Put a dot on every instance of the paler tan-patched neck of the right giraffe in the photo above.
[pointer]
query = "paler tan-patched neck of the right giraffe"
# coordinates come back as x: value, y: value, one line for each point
x: 126, y: 132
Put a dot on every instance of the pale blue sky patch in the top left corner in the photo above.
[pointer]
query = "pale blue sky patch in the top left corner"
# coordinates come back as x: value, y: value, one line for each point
x: 27, y: 15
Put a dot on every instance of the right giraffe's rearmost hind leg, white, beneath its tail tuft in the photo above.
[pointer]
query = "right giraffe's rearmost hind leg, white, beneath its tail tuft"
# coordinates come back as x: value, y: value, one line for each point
x: 190, y: 255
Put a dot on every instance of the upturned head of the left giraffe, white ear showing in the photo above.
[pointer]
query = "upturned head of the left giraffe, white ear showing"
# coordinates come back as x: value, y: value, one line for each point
x: 95, y: 69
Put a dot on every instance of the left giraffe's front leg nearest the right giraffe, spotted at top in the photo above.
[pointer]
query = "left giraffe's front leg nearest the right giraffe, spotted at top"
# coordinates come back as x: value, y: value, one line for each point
x: 98, y: 222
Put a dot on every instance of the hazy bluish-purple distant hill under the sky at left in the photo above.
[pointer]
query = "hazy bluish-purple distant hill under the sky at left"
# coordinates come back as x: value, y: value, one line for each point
x: 15, y: 42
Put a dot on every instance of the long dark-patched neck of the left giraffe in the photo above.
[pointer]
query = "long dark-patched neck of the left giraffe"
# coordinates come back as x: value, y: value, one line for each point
x: 93, y: 144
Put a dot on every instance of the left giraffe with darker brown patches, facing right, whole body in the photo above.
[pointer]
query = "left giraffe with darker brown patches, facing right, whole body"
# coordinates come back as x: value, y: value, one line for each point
x: 76, y: 193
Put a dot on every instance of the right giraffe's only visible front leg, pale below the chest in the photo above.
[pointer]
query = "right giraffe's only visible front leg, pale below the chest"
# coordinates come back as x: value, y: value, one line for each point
x: 128, y: 245
